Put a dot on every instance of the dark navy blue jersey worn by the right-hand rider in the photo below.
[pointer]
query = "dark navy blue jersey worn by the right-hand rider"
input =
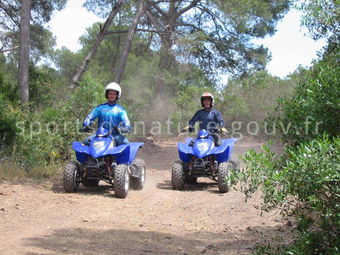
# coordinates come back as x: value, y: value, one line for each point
x: 209, y: 120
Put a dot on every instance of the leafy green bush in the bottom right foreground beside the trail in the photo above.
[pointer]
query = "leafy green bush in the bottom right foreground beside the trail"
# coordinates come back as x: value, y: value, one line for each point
x: 305, y: 183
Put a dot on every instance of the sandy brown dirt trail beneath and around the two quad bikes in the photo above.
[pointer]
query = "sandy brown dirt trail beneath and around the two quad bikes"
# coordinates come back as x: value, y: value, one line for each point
x: 42, y: 219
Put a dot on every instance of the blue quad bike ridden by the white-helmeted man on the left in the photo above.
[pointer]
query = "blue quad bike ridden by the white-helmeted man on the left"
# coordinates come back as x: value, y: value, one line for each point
x: 103, y: 160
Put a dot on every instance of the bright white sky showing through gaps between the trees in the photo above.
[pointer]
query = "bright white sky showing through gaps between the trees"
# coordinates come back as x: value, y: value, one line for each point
x: 289, y: 46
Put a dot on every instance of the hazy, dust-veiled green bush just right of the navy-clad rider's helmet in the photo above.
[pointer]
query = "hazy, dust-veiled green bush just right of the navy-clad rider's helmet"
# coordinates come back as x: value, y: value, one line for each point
x: 250, y: 98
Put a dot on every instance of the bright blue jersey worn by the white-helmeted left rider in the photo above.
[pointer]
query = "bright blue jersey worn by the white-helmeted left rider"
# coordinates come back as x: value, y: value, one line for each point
x: 110, y: 116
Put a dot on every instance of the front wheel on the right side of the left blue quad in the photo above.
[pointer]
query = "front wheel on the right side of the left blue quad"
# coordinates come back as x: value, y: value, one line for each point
x: 121, y: 181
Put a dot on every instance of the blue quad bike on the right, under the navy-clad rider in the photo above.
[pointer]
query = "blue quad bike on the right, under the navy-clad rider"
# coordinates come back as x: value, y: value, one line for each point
x: 200, y: 157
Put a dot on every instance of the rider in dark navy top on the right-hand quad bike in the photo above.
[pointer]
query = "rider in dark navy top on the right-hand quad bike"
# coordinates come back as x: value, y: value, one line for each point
x: 209, y: 118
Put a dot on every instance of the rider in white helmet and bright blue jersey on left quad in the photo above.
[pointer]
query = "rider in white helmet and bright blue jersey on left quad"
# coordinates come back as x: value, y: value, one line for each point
x: 111, y: 116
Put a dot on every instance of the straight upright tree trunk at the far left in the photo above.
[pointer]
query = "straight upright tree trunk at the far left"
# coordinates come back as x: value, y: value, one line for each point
x: 25, y: 16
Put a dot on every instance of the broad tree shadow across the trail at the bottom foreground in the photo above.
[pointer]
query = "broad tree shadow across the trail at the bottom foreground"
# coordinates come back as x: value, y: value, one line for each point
x: 122, y: 241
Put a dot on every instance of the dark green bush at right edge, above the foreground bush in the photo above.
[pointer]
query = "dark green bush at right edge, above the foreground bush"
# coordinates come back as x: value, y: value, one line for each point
x: 314, y: 108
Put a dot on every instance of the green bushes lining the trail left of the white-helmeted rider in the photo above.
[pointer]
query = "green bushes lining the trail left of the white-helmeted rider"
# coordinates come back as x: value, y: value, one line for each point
x: 39, y: 140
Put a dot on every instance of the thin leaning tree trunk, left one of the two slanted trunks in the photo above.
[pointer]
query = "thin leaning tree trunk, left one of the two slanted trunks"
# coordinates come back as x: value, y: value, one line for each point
x: 76, y: 78
